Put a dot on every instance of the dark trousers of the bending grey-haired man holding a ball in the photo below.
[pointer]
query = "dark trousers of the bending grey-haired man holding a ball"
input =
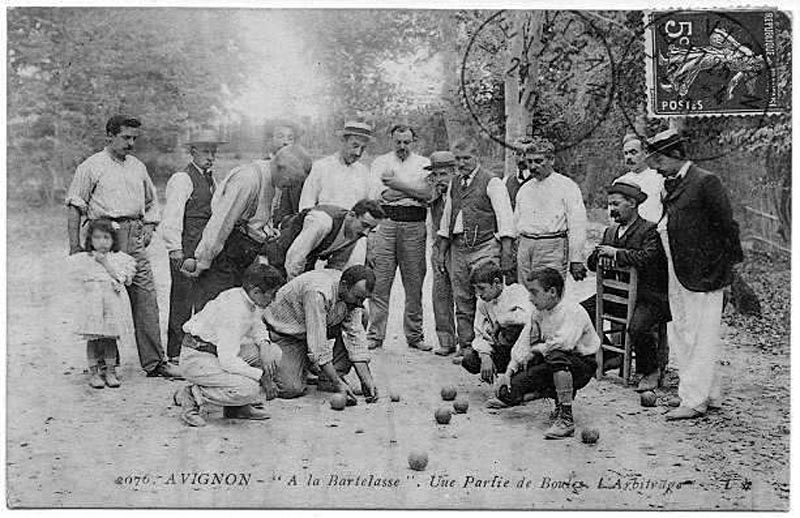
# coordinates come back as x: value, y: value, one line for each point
x: 228, y: 267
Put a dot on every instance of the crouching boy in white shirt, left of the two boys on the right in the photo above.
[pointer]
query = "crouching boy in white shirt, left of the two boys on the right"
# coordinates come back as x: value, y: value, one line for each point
x: 501, y: 314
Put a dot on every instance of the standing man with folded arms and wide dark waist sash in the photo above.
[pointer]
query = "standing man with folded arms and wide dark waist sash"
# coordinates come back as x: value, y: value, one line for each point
x: 401, y: 180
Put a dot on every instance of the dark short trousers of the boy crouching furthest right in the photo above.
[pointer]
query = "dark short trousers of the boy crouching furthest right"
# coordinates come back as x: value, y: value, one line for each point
x: 538, y: 375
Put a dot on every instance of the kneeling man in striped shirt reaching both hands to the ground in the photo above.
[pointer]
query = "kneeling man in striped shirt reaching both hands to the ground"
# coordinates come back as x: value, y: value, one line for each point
x: 316, y: 320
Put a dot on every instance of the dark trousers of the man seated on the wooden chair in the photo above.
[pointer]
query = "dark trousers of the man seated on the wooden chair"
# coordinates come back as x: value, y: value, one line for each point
x: 643, y: 329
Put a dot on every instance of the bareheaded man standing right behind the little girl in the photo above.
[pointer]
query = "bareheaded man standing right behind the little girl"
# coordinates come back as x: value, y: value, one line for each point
x: 113, y: 184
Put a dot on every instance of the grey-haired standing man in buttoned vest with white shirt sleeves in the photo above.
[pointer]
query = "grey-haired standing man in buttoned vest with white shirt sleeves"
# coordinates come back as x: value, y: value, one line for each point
x: 477, y: 225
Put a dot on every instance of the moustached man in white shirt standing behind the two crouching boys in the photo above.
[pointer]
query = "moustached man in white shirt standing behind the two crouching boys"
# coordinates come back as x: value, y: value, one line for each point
x: 549, y: 217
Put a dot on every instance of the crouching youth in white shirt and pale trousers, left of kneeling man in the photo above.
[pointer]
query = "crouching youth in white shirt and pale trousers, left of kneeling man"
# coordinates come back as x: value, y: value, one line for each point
x: 227, y: 356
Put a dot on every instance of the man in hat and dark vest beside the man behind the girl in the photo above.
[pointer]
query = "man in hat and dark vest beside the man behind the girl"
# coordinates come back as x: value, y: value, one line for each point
x: 187, y: 210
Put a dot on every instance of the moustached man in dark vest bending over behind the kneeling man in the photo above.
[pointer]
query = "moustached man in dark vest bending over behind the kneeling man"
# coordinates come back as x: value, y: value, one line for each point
x: 325, y: 232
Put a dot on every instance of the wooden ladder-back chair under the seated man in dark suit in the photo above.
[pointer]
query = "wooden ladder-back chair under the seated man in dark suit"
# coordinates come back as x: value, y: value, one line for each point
x: 616, y: 300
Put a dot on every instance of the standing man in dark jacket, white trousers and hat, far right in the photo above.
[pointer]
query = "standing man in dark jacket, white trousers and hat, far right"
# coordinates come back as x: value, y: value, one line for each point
x: 701, y: 241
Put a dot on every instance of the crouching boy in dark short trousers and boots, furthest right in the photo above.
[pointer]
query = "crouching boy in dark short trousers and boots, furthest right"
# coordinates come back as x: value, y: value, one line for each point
x: 554, y: 355
